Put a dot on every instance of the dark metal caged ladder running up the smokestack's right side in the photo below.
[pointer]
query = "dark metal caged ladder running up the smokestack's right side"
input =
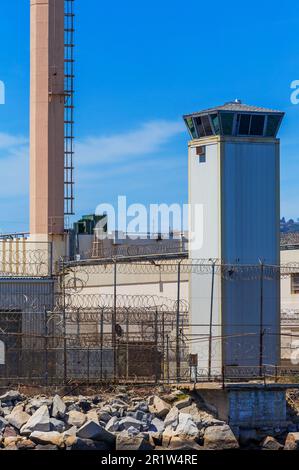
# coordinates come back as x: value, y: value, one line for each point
x: 69, y: 78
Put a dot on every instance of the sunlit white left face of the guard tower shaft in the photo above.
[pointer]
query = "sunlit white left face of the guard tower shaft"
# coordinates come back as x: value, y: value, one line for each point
x: 204, y: 195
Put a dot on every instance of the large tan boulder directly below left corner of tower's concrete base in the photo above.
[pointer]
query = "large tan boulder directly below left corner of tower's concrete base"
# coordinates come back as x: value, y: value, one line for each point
x: 219, y: 438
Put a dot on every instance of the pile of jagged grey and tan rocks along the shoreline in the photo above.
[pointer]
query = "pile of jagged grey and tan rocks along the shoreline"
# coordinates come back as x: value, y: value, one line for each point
x: 124, y: 420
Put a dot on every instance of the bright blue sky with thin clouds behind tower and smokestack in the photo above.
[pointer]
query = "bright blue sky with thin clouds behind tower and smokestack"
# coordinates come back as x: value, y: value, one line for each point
x: 140, y: 66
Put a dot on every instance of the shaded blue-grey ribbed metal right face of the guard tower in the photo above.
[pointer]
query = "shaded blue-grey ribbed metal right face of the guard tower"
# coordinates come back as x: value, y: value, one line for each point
x: 250, y: 232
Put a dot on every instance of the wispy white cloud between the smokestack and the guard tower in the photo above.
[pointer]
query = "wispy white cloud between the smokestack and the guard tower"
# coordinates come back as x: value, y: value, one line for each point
x: 149, y: 138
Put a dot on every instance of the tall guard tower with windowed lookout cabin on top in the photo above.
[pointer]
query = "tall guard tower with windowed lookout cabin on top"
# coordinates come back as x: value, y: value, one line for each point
x: 234, y: 196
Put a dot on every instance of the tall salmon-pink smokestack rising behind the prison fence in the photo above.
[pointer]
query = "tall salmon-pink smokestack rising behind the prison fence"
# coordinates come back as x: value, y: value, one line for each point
x: 47, y: 119
